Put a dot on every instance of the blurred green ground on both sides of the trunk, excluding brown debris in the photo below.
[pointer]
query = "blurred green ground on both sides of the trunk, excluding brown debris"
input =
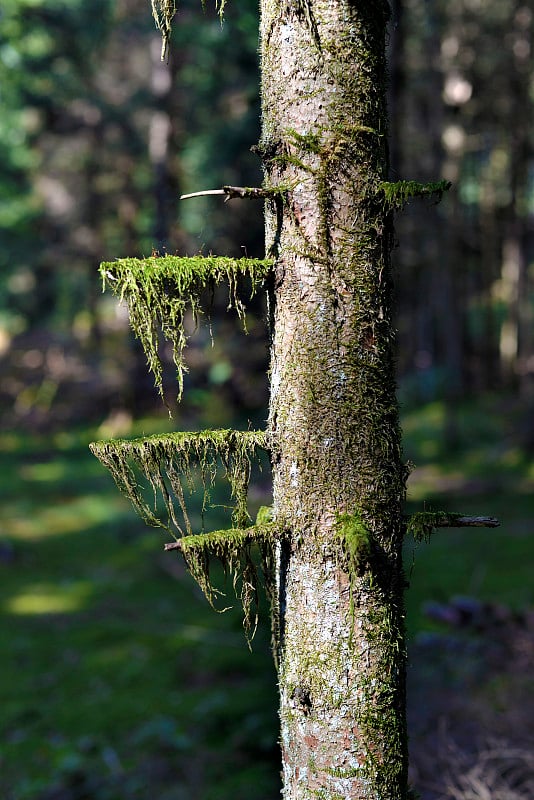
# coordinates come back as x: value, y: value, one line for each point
x: 117, y: 679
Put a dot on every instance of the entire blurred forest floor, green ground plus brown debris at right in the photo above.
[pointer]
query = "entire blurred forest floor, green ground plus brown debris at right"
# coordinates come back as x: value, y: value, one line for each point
x: 117, y: 676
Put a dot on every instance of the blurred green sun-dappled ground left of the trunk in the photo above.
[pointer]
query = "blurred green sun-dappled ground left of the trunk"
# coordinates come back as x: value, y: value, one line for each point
x: 116, y: 675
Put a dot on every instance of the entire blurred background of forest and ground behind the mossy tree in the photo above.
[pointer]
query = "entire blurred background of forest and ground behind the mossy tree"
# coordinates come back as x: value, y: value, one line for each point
x: 98, y: 138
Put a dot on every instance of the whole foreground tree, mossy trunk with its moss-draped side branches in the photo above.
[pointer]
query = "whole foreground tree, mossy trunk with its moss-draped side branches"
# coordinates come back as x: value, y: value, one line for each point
x: 330, y: 545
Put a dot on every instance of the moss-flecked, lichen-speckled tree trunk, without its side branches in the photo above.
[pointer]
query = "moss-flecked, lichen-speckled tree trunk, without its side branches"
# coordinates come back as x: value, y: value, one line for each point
x: 333, y: 425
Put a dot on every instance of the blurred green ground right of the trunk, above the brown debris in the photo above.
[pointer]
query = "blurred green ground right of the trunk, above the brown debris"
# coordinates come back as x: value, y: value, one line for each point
x: 468, y: 459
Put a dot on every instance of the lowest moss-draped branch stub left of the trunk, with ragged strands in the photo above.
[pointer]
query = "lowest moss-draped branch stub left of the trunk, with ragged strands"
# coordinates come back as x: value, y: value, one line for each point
x: 234, y: 549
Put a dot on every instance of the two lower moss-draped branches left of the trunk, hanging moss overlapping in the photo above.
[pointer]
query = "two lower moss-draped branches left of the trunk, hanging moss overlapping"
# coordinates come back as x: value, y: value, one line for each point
x: 176, y: 464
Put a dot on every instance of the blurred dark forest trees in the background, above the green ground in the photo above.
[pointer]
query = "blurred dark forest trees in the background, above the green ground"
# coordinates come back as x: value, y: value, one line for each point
x: 99, y: 138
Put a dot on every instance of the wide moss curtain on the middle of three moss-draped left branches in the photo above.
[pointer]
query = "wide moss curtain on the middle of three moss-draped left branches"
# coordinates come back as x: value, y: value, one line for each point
x: 170, y: 463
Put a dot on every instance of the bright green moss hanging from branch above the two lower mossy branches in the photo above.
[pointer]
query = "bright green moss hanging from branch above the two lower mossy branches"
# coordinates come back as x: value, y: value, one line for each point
x: 159, y: 291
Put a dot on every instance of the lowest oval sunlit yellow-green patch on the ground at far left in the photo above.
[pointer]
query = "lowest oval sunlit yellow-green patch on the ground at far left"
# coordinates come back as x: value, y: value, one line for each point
x: 43, y: 598
